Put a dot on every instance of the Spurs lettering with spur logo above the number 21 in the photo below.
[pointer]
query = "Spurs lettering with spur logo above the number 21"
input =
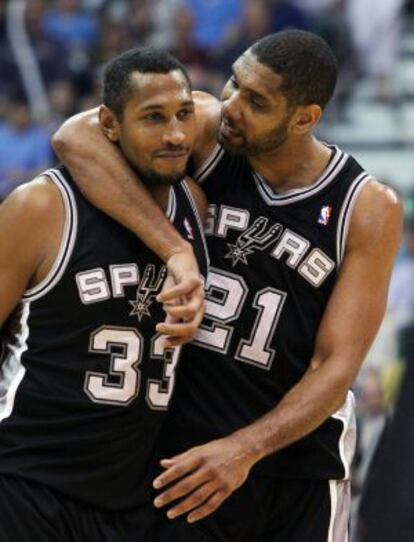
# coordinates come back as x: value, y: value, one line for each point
x: 310, y: 262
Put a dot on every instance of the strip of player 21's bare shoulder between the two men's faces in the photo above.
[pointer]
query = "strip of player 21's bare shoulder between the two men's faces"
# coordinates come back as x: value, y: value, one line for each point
x: 207, y: 110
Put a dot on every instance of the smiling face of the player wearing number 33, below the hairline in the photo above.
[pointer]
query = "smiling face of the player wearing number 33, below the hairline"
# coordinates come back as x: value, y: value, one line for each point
x: 157, y: 130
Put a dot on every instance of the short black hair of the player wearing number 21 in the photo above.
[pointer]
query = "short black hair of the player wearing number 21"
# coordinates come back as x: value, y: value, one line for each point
x: 305, y: 62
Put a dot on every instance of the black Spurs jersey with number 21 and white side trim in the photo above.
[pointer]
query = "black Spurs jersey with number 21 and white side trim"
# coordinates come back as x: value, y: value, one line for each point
x: 274, y: 262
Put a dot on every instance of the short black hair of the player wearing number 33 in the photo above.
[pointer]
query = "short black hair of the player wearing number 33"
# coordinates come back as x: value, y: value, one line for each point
x: 117, y: 87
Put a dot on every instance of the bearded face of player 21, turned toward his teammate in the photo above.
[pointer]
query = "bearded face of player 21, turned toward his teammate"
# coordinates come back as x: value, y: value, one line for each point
x: 255, y: 114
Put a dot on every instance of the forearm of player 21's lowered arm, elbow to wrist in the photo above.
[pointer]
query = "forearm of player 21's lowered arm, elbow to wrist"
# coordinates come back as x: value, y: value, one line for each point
x: 304, y: 408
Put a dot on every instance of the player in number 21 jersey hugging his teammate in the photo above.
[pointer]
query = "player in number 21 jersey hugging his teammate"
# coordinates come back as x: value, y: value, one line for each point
x: 302, y: 242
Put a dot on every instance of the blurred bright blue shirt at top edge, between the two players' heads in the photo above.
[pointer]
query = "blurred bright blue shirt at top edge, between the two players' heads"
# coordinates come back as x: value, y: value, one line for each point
x: 214, y: 20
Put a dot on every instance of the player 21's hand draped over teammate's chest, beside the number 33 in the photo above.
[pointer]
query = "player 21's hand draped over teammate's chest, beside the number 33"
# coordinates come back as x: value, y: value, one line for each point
x: 183, y: 299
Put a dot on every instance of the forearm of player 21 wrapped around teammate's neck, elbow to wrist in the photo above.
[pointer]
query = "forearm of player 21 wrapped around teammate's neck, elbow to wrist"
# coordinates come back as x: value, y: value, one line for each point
x: 127, y: 200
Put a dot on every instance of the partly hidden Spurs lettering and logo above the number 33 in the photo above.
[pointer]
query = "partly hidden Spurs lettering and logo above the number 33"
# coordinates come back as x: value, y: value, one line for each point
x: 96, y: 285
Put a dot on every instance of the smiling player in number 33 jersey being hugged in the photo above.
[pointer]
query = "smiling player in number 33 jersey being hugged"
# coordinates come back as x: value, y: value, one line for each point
x: 85, y: 380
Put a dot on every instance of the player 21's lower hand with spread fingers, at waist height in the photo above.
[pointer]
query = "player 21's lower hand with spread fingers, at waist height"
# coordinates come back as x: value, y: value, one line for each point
x: 203, y: 477
